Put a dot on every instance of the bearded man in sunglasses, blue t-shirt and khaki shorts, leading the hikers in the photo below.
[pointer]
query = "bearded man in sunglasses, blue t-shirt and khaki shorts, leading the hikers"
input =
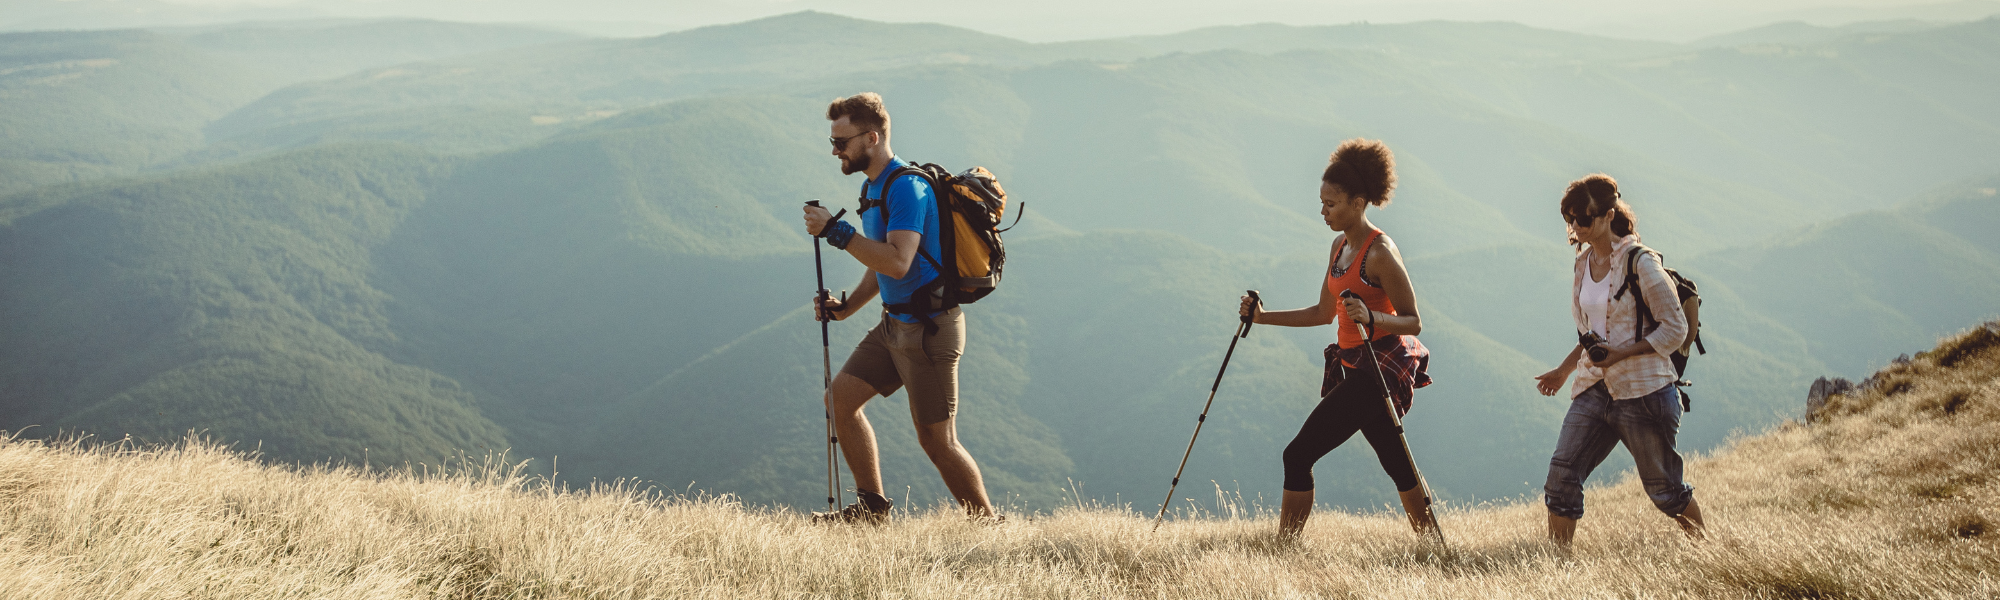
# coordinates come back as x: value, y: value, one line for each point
x: 913, y: 347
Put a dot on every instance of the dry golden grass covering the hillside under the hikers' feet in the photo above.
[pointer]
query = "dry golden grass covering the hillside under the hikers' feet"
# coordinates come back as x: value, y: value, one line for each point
x: 1893, y: 497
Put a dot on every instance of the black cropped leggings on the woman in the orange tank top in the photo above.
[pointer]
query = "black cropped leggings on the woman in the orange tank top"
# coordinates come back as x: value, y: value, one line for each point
x: 1353, y: 407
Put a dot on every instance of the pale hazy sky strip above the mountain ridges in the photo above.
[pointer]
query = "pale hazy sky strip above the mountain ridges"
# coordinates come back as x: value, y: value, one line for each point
x: 1039, y: 21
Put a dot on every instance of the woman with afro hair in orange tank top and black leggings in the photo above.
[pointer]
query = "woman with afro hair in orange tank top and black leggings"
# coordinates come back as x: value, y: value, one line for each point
x: 1365, y: 263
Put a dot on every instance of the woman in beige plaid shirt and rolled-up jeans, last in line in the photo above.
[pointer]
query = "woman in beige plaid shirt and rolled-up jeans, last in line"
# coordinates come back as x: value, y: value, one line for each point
x: 1629, y: 395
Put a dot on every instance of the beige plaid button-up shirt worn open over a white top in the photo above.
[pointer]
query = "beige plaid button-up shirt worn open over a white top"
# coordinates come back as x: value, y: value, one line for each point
x: 1645, y: 373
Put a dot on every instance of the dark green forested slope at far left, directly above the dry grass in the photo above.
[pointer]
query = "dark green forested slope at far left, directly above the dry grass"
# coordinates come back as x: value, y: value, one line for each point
x: 233, y: 301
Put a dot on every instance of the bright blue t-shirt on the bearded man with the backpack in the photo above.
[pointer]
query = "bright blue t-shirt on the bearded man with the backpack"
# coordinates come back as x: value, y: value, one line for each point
x: 911, y: 209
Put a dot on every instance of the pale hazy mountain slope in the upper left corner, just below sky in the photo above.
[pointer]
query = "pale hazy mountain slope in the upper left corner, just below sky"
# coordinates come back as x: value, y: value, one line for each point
x: 93, y: 105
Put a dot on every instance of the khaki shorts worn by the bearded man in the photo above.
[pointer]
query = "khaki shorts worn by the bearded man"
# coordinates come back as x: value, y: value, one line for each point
x: 899, y: 355
